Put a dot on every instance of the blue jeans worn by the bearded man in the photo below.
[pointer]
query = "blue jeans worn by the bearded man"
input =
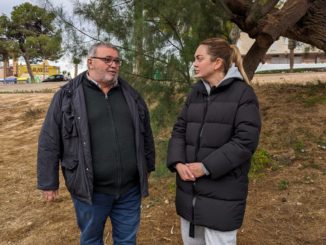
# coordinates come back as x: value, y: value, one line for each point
x: 124, y: 213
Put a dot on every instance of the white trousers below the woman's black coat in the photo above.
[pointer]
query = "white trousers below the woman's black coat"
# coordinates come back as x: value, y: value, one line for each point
x: 206, y: 236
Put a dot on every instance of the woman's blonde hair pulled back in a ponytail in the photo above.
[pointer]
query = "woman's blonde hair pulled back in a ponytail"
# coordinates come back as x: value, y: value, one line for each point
x: 220, y: 48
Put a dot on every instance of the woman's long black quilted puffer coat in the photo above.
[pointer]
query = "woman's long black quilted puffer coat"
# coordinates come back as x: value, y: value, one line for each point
x: 221, y: 130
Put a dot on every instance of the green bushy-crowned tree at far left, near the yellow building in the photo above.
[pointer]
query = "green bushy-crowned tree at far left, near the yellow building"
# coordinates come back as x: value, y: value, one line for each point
x: 32, y: 31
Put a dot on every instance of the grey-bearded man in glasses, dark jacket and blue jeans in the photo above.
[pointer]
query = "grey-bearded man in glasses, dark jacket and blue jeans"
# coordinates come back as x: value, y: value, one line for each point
x: 98, y: 127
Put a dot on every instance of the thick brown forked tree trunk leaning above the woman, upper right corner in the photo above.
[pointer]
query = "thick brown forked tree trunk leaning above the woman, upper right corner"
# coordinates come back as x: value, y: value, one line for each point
x: 301, y: 20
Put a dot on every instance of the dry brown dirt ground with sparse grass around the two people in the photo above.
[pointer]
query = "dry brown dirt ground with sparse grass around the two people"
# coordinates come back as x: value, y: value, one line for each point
x: 286, y: 202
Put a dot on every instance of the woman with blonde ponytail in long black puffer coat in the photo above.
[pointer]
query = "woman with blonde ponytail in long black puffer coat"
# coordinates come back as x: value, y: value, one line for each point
x: 212, y: 144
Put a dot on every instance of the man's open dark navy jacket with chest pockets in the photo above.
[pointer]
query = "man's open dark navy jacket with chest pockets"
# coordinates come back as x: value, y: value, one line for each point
x: 65, y: 139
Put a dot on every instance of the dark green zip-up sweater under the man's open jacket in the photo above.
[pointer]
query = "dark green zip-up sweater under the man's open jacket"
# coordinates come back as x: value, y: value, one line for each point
x: 112, y: 138
